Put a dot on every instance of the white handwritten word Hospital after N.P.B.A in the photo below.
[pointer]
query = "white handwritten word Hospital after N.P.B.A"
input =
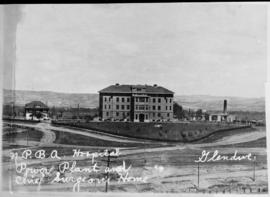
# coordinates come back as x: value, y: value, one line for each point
x: 93, y: 155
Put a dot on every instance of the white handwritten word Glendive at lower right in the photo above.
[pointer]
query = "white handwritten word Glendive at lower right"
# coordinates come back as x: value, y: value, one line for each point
x: 215, y: 156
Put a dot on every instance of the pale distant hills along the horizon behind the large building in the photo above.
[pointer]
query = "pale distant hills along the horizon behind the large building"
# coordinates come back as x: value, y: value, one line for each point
x: 57, y: 99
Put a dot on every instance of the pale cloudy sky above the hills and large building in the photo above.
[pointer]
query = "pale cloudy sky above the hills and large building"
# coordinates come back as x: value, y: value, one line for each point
x: 192, y: 49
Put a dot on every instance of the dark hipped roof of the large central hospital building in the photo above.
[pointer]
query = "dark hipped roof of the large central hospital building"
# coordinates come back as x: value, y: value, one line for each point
x: 128, y: 89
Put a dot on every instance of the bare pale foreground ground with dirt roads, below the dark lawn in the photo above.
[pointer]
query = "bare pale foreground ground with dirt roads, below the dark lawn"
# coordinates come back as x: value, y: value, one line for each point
x: 169, y: 167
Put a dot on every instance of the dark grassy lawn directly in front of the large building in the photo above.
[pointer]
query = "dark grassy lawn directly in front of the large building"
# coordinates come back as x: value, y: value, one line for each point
x: 173, y: 132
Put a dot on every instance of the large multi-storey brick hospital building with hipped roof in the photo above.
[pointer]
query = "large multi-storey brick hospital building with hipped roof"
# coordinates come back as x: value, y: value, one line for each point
x: 138, y: 103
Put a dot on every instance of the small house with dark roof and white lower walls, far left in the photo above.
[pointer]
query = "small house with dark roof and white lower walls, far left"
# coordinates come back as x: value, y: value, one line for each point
x: 36, y: 110
